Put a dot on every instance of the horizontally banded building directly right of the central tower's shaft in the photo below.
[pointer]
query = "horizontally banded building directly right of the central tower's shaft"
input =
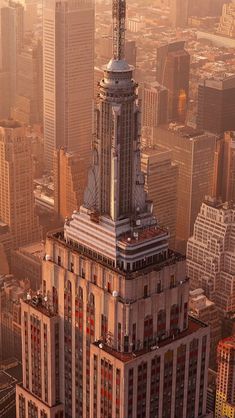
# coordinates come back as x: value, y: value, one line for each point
x: 161, y: 185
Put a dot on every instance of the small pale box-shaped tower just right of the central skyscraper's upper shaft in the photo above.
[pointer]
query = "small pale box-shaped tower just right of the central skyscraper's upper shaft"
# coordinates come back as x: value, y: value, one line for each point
x: 154, y: 110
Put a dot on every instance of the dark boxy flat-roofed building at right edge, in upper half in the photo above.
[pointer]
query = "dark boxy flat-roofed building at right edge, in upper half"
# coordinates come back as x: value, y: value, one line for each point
x: 216, y: 105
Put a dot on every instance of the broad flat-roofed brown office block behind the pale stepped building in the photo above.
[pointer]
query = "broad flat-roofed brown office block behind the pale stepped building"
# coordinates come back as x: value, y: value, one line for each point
x: 194, y: 152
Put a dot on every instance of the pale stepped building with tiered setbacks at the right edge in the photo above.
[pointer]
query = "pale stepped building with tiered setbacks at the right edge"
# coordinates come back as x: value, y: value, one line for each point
x: 210, y: 254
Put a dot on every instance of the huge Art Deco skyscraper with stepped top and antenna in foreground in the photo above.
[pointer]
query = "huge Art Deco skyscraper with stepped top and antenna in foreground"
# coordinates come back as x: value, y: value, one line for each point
x: 125, y: 345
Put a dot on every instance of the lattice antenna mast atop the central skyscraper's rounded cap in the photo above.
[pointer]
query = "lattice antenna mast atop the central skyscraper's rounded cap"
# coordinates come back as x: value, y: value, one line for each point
x: 119, y: 23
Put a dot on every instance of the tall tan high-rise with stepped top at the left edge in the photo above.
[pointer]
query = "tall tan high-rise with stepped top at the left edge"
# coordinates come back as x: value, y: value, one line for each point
x: 17, y: 217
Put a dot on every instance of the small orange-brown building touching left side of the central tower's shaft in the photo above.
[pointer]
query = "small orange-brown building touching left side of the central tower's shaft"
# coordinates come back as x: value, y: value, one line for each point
x: 69, y: 181
